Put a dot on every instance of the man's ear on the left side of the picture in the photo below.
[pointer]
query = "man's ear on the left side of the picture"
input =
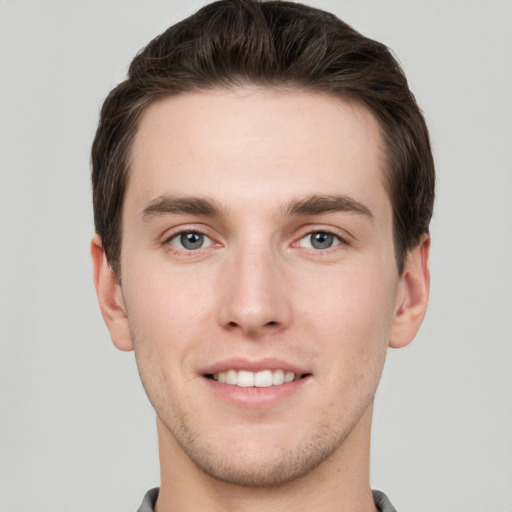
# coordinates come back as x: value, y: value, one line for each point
x: 110, y: 297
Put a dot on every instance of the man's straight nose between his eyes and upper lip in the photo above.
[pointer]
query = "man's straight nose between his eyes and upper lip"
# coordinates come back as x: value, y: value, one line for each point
x: 254, y: 299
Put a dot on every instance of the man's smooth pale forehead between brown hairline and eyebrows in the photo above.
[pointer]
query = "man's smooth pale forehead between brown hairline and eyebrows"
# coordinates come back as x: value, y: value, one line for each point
x: 253, y: 143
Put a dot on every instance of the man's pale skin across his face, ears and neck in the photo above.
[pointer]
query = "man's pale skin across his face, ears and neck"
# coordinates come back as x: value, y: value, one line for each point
x: 257, y: 235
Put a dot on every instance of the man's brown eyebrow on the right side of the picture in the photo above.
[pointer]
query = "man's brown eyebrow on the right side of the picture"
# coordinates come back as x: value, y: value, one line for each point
x: 318, y: 204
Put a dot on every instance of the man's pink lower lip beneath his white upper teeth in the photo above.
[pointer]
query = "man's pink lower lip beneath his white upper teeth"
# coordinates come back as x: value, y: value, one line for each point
x: 255, y: 398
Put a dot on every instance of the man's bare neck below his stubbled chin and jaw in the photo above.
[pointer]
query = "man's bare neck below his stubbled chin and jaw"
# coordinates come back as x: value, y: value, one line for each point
x: 340, y: 483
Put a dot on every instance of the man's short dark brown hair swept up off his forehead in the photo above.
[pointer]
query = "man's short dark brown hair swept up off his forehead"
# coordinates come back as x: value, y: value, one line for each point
x: 272, y: 44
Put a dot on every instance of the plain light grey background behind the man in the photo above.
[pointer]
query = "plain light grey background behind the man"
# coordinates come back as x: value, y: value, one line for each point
x: 77, y: 433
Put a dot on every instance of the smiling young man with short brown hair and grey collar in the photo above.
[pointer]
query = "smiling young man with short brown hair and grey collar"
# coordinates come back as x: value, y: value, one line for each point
x: 263, y: 185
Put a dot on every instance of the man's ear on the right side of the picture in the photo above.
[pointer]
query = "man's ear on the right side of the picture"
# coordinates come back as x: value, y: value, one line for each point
x: 413, y: 298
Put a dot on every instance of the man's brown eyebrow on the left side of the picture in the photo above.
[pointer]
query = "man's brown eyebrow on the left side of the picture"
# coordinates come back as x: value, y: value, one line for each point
x: 168, y: 205
